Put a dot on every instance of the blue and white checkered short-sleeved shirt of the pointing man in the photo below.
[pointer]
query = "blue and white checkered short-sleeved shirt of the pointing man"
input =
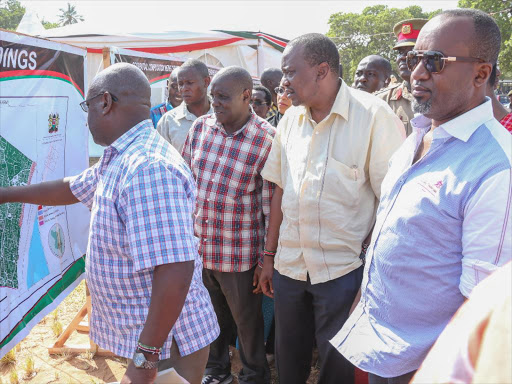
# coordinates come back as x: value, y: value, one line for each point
x: 142, y: 197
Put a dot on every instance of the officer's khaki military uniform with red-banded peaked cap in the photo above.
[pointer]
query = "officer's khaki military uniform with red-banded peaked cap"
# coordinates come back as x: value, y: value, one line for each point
x: 398, y: 96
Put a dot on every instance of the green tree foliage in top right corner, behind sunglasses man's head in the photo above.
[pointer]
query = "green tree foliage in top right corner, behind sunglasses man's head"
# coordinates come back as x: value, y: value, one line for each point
x: 501, y: 11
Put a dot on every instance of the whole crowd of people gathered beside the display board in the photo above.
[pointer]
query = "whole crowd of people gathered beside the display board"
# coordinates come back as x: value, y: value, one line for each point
x: 368, y: 213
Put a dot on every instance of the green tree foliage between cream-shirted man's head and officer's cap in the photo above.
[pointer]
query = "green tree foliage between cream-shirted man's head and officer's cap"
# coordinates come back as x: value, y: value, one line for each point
x: 371, y: 32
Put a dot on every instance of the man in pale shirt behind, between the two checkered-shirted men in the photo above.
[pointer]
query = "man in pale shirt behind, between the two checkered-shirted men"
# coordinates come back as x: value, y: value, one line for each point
x: 193, y: 82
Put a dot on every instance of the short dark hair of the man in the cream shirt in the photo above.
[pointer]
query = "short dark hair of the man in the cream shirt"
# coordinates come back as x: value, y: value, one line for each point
x: 318, y: 49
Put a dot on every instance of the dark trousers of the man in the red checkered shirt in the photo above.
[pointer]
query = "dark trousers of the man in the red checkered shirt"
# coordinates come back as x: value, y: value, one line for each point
x: 232, y: 298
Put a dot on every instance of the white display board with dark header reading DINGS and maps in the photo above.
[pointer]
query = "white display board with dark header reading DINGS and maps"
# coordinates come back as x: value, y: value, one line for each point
x: 43, y: 137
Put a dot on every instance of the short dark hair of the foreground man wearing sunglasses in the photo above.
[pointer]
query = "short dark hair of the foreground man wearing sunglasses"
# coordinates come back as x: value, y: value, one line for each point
x: 487, y: 40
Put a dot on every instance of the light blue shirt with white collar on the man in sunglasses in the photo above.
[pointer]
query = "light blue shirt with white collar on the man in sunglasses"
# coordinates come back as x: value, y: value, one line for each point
x: 444, y: 223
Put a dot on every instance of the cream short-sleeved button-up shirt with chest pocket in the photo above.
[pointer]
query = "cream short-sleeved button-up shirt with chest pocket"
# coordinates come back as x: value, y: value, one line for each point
x: 330, y: 174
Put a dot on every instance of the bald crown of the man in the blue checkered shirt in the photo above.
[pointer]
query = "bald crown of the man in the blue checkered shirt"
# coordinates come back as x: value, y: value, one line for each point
x: 125, y: 81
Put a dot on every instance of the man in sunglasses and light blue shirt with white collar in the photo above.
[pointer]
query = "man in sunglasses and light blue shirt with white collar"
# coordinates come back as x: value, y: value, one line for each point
x: 444, y: 221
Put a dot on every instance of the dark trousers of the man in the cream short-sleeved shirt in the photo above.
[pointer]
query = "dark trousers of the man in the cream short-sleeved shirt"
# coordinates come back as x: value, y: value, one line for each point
x: 304, y: 312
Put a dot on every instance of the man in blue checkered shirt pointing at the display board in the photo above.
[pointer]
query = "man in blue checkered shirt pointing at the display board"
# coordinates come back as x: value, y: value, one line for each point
x: 142, y: 265
